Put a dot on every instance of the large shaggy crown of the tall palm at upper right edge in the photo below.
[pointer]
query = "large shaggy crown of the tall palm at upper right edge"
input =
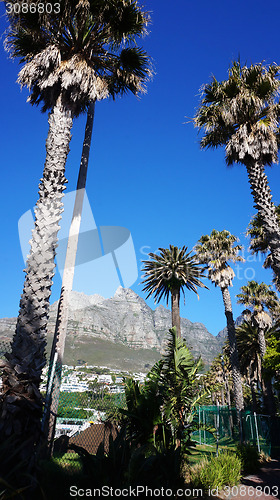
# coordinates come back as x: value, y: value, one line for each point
x: 242, y: 114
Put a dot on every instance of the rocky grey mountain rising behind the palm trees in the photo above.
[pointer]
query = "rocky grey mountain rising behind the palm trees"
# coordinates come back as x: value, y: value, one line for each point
x: 121, y: 331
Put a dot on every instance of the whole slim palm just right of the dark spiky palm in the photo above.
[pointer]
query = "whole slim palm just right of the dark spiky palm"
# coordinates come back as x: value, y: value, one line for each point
x: 216, y: 251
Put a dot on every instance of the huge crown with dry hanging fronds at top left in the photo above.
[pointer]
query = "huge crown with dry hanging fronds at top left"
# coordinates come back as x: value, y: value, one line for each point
x: 86, y: 52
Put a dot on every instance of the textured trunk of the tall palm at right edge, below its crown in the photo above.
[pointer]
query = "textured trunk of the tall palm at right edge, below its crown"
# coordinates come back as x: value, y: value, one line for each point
x: 266, y: 208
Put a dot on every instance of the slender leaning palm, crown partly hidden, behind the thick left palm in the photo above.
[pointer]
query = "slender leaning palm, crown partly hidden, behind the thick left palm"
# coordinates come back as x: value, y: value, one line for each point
x: 56, y: 359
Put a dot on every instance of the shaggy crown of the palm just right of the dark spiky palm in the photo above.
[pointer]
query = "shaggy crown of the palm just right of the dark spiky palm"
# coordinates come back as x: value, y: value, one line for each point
x: 215, y: 251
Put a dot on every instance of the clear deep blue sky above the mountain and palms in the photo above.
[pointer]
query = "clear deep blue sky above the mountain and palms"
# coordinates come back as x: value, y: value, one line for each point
x: 147, y: 172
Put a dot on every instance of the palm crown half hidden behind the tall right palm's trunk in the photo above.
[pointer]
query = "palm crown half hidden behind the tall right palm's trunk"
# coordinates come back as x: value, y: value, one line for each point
x: 259, y: 242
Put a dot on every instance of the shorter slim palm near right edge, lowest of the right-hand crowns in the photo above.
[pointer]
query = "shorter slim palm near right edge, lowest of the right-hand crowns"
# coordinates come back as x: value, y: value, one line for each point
x: 257, y: 297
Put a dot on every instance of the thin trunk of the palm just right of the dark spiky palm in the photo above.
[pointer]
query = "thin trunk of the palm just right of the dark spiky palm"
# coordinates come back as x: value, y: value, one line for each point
x: 234, y: 360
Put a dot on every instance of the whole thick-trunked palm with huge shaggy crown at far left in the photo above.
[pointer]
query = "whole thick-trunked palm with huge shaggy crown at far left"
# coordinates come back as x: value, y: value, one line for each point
x: 70, y: 58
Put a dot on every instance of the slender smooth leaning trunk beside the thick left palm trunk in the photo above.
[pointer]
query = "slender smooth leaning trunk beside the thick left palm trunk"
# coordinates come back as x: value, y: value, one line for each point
x: 58, y: 345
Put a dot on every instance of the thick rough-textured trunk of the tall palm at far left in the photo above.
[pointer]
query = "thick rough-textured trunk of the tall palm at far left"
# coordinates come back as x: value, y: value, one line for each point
x: 21, y: 401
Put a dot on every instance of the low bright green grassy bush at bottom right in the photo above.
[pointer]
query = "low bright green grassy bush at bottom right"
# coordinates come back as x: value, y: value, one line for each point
x: 216, y: 472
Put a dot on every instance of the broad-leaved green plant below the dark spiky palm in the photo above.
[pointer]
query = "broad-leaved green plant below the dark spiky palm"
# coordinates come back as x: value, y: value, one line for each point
x: 161, y: 410
